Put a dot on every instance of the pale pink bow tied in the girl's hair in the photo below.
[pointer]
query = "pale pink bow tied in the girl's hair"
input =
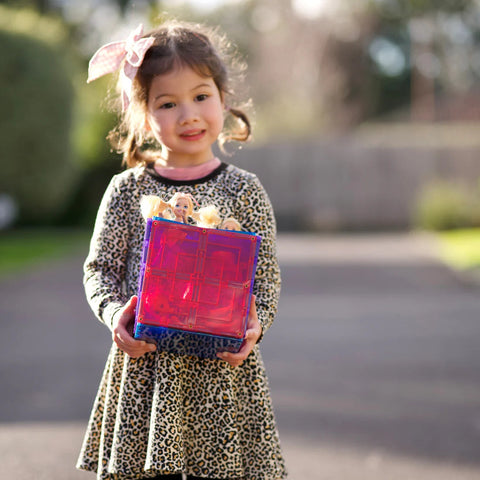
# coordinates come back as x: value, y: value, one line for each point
x: 108, y: 58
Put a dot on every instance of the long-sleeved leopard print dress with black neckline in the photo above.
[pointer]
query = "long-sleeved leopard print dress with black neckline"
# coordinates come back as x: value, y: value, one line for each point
x: 162, y: 413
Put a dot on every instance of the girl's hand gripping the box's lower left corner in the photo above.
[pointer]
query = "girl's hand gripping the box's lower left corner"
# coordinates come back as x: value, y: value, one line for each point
x: 122, y: 331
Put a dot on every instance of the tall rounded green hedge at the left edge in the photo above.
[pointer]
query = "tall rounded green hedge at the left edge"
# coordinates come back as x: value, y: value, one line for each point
x: 36, y: 101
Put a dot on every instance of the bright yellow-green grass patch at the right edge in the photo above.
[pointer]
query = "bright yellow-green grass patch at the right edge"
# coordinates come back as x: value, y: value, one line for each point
x: 461, y: 248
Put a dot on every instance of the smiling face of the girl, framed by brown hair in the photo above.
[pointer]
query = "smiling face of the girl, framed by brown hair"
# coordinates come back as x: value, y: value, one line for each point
x: 185, y: 114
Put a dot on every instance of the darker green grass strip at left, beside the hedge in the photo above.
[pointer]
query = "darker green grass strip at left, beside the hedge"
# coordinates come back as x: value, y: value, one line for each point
x: 26, y: 248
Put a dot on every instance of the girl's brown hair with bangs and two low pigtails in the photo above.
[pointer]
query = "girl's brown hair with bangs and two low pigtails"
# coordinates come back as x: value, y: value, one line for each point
x: 179, y: 44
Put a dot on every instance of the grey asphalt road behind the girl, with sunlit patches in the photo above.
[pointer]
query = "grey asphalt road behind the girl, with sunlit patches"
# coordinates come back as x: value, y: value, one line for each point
x: 373, y: 364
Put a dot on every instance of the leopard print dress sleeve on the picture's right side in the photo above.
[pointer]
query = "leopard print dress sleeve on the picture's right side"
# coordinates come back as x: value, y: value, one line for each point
x: 255, y: 214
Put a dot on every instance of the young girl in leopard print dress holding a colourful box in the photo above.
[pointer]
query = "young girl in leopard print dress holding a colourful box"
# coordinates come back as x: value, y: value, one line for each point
x: 159, y: 415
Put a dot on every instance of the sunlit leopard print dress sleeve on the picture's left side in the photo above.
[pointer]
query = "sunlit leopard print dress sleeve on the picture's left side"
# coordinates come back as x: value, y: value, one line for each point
x: 105, y: 266
